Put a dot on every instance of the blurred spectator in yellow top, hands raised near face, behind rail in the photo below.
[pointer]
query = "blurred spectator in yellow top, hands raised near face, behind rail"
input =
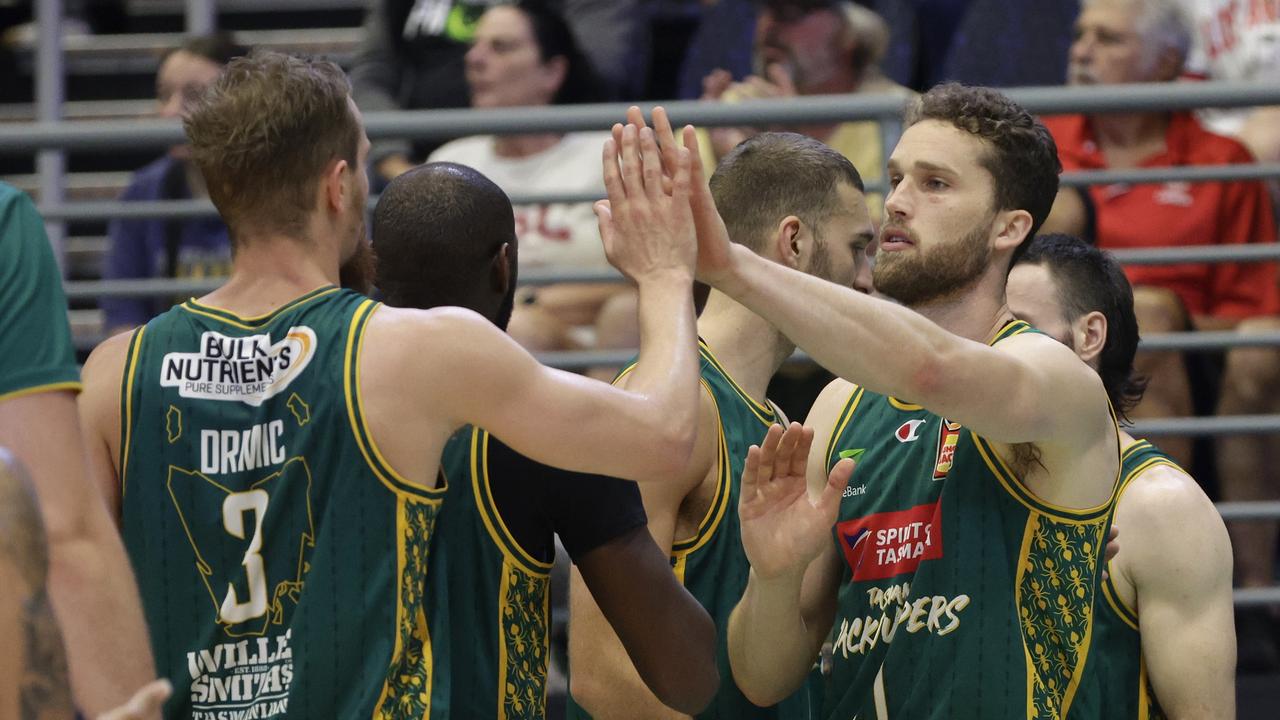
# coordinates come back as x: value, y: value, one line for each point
x: 812, y: 48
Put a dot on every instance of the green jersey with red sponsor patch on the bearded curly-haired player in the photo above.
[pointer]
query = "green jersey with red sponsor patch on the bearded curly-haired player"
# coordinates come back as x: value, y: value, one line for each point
x: 962, y: 595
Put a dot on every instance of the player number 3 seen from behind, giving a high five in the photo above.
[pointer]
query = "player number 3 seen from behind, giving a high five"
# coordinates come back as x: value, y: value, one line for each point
x: 273, y: 448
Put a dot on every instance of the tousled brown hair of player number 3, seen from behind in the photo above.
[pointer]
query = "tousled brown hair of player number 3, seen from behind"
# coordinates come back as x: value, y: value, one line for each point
x: 264, y: 134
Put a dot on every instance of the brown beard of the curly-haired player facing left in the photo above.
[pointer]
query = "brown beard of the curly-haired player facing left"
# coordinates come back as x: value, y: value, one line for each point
x: 921, y: 279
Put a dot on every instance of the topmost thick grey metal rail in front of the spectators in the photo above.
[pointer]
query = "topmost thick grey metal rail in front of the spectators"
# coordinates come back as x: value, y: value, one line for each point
x: 437, y: 125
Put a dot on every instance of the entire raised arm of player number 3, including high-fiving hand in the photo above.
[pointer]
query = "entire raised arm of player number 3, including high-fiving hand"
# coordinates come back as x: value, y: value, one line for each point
x: 470, y: 372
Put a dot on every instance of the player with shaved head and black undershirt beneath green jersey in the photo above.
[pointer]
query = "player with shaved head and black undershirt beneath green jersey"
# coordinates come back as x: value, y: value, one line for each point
x: 444, y: 235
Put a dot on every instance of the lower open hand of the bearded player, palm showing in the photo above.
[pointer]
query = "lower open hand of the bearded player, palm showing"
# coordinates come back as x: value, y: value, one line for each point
x: 783, y: 528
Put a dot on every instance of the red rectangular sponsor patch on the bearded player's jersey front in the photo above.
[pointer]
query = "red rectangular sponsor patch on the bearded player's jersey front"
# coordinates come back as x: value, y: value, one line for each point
x: 888, y: 545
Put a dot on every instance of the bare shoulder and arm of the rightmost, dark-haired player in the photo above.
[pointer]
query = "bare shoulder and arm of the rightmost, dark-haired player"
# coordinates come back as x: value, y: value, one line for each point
x: 1178, y: 555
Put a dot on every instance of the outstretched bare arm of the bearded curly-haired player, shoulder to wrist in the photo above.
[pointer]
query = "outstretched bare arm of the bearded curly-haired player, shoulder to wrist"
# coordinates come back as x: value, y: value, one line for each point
x: 1026, y: 390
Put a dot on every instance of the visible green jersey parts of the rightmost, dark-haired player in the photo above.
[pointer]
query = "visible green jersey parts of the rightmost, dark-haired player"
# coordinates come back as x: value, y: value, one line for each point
x: 1122, y: 672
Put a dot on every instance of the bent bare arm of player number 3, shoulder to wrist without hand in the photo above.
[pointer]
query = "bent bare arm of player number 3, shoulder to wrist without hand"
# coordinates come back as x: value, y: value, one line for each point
x: 557, y: 418
